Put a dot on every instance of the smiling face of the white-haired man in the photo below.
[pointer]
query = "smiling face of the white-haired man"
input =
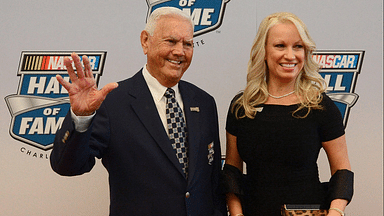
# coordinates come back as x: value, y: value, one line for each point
x: 169, y: 51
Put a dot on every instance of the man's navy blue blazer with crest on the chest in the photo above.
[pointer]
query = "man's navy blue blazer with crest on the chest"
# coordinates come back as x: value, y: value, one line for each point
x: 145, y: 177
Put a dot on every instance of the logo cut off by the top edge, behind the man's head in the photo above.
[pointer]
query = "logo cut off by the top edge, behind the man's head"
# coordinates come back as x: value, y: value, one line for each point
x: 207, y: 15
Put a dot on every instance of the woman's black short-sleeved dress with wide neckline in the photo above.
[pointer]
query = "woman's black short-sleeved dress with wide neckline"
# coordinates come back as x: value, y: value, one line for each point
x: 281, y: 152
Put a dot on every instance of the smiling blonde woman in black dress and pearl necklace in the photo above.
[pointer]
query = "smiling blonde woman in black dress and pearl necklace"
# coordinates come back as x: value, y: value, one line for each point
x: 278, y: 125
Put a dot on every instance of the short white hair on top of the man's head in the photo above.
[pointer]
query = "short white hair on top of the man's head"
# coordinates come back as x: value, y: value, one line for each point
x: 164, y: 11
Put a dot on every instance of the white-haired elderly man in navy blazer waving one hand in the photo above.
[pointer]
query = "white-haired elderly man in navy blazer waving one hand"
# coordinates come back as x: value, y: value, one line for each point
x: 157, y: 136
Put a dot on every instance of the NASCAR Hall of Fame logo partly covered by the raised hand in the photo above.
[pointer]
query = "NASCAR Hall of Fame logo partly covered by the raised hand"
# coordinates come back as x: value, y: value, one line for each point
x: 41, y: 103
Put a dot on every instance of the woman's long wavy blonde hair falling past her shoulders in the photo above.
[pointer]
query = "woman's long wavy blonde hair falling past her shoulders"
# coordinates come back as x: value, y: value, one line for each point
x: 309, y: 85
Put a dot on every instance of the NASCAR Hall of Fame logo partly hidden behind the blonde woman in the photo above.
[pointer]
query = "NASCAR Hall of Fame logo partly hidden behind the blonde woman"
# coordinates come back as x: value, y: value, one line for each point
x: 340, y: 70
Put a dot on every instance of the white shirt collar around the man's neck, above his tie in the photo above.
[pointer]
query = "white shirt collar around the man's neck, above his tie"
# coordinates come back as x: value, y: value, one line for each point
x: 157, y: 90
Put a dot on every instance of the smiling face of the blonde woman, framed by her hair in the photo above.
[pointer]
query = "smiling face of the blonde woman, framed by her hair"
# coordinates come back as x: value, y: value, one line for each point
x: 285, y: 53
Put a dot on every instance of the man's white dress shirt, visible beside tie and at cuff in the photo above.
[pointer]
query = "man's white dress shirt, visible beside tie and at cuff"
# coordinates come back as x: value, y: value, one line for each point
x: 157, y: 91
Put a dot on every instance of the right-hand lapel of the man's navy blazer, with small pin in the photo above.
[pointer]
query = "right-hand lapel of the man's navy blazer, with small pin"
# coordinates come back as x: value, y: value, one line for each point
x: 192, y: 116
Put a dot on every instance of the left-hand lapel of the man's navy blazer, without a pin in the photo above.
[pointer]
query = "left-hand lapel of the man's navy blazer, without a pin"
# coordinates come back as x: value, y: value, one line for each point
x: 146, y: 110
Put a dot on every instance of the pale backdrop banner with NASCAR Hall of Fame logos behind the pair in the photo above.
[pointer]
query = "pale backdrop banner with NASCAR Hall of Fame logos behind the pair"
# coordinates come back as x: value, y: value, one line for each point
x: 37, y: 35
